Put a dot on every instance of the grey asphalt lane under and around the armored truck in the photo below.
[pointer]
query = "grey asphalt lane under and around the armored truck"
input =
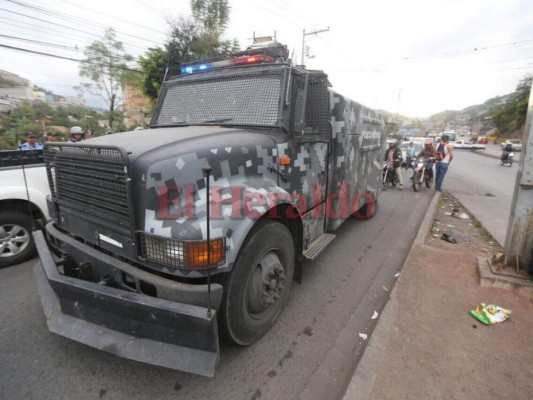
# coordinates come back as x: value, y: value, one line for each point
x: 346, y: 280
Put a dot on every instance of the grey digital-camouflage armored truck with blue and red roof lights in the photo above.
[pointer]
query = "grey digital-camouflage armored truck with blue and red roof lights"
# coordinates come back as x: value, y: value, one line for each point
x: 162, y: 239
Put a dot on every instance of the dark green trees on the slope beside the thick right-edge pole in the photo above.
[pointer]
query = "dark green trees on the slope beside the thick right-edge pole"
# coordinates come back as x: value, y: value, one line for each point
x: 511, y: 116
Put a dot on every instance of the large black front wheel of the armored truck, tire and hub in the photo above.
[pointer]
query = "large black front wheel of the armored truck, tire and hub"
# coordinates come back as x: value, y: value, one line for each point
x: 256, y: 290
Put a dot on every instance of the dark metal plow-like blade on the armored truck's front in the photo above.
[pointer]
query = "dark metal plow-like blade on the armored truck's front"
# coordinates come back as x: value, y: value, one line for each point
x: 129, y: 324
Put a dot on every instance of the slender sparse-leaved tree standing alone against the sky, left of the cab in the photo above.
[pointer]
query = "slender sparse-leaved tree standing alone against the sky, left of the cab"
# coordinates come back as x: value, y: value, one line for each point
x: 105, y: 64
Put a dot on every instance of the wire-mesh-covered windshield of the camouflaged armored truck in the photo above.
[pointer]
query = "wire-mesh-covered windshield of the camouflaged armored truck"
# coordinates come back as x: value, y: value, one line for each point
x: 251, y: 98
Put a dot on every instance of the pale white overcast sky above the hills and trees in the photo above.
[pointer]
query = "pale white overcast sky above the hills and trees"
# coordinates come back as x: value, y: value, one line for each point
x: 415, y: 57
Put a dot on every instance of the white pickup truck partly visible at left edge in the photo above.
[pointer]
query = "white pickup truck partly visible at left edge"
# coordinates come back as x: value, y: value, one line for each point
x: 16, y: 241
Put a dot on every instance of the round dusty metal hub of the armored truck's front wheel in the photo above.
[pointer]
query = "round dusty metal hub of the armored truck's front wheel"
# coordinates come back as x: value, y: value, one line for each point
x: 267, y: 284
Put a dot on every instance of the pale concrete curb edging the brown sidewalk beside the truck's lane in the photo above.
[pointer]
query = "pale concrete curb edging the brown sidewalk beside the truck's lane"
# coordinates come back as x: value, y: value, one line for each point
x: 365, y: 373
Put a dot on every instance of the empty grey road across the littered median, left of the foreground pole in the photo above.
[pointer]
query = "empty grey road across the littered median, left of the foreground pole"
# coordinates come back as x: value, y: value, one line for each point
x: 481, y: 182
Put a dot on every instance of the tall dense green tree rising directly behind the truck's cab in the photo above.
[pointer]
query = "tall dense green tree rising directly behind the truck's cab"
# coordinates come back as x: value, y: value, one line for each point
x: 190, y: 39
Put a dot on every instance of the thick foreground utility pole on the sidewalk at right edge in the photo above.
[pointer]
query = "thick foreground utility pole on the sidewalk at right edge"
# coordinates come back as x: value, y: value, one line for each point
x: 519, y: 237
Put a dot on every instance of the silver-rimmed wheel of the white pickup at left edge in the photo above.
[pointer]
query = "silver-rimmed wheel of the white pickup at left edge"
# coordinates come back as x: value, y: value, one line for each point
x: 16, y: 241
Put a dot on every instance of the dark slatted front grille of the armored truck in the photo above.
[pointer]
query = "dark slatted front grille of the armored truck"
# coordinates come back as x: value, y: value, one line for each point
x: 89, y: 179
